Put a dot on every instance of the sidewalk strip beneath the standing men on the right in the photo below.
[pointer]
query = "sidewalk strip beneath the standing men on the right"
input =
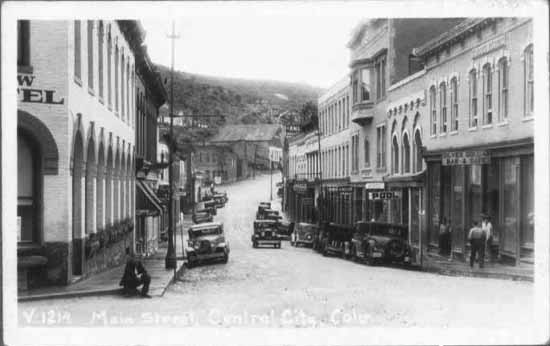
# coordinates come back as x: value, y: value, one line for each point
x: 435, y: 263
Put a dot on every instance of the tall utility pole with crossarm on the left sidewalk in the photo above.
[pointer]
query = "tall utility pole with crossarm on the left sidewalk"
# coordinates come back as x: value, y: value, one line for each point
x: 170, y: 260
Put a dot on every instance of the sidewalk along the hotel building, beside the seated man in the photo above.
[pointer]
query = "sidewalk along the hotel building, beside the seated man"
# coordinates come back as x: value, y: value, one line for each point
x: 106, y: 283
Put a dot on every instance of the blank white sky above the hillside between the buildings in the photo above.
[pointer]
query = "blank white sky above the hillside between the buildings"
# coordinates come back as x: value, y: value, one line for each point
x: 300, y: 42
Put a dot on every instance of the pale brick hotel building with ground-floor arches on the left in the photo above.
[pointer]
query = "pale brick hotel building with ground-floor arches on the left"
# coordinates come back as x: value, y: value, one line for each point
x: 76, y: 144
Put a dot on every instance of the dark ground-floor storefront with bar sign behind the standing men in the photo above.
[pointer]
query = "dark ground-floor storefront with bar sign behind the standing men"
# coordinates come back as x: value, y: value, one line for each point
x: 496, y: 180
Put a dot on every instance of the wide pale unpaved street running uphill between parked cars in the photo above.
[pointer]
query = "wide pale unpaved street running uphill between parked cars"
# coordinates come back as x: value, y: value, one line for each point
x: 296, y: 287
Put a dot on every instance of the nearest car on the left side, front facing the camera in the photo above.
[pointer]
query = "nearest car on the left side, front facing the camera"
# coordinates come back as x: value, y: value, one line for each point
x: 206, y: 242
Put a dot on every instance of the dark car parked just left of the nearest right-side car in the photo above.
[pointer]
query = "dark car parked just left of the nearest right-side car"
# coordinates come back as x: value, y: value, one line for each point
x: 336, y: 240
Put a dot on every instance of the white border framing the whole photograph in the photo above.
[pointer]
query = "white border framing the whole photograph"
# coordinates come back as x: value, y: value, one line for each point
x: 110, y: 10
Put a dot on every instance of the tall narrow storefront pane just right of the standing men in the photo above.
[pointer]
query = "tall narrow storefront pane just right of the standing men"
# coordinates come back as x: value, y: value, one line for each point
x: 510, y: 201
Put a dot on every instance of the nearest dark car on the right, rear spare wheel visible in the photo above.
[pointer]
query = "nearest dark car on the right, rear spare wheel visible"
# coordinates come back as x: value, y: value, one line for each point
x: 381, y: 242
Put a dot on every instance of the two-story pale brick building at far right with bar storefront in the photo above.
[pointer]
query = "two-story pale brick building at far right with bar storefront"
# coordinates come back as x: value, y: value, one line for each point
x: 478, y: 132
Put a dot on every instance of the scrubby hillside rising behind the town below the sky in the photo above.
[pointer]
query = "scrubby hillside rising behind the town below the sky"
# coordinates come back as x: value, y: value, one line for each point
x: 241, y: 101
